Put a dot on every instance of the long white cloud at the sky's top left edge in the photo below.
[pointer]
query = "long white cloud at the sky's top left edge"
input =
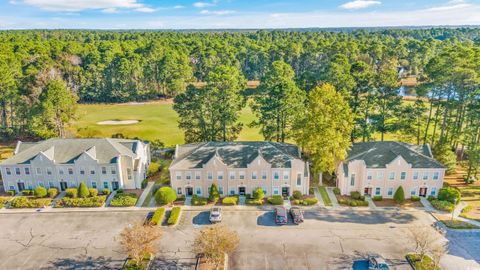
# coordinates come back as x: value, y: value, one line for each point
x: 79, y: 5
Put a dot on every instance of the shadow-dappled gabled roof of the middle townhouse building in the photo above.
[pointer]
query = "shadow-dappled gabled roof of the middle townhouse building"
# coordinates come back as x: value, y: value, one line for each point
x: 235, y: 154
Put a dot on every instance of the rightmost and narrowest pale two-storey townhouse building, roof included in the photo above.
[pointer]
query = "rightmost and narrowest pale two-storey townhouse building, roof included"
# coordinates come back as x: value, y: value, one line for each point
x: 379, y: 168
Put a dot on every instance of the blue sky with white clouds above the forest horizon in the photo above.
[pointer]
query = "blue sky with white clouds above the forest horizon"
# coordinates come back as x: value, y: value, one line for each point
x: 186, y: 14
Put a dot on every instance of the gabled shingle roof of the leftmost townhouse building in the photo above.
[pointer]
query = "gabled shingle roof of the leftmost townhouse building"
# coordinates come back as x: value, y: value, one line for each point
x: 62, y: 151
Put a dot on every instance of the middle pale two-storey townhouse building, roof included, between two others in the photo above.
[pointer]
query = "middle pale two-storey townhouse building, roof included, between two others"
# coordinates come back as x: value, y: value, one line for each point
x: 239, y: 168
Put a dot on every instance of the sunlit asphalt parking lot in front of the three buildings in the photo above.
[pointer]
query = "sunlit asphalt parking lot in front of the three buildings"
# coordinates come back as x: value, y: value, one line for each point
x: 326, y: 240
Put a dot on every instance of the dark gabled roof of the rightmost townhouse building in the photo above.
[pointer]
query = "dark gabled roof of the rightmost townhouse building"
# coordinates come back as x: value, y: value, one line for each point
x: 379, y: 154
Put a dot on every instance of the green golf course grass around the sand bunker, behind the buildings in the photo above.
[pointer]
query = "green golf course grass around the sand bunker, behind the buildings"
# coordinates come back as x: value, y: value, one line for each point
x: 158, y: 121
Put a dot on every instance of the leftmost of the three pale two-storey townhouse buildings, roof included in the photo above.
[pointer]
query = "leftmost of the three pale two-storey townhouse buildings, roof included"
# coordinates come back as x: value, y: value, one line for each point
x: 63, y: 163
